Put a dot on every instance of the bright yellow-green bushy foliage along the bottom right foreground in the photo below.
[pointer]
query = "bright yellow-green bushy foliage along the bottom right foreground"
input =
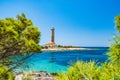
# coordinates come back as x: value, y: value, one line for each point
x: 90, y: 71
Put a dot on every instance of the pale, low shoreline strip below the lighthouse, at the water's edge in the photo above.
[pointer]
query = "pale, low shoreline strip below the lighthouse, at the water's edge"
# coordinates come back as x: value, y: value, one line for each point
x: 64, y: 49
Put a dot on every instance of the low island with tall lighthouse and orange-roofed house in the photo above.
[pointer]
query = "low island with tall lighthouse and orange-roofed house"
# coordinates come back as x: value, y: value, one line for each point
x: 52, y: 46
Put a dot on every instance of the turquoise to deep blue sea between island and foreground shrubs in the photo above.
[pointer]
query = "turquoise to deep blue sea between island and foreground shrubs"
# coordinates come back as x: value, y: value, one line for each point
x: 55, y: 62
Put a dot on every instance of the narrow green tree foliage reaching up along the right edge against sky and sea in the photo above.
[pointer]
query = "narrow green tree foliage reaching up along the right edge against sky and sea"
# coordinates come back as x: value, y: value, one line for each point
x: 114, y: 51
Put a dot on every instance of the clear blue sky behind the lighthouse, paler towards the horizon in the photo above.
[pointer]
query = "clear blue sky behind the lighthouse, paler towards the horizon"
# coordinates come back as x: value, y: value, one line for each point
x: 76, y: 22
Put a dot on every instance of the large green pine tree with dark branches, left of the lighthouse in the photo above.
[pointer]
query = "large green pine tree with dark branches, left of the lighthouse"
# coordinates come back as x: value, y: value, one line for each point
x: 18, y: 36
